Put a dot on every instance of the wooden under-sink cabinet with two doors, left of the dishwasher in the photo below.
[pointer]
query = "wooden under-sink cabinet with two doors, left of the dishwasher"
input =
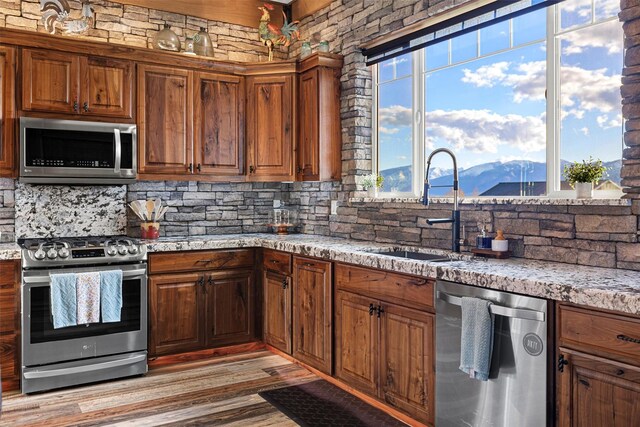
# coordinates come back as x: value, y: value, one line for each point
x: 384, y: 333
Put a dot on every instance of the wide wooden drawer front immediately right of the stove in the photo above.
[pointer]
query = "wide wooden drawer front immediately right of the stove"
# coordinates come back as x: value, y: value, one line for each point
x: 200, y: 260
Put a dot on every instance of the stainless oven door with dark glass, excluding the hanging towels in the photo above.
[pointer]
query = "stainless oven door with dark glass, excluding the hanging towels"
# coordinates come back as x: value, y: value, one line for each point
x: 42, y: 344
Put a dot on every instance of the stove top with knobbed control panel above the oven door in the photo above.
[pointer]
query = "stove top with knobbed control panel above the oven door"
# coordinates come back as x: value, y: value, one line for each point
x: 81, y: 251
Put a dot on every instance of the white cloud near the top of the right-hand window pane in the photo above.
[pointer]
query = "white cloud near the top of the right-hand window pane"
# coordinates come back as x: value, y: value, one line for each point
x: 607, y: 35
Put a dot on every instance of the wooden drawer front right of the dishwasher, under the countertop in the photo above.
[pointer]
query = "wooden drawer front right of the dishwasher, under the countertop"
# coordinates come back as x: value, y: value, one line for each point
x: 599, y: 333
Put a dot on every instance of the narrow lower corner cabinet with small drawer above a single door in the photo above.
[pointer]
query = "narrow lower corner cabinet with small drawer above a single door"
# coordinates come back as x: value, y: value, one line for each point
x: 277, y: 297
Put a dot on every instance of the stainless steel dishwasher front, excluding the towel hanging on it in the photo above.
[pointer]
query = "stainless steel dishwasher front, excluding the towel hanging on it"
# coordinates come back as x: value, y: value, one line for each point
x: 516, y: 392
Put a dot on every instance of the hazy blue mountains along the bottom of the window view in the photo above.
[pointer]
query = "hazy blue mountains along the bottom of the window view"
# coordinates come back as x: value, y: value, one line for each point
x: 479, y: 179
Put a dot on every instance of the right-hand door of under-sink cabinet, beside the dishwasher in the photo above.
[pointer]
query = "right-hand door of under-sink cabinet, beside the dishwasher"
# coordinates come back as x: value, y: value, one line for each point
x: 407, y: 359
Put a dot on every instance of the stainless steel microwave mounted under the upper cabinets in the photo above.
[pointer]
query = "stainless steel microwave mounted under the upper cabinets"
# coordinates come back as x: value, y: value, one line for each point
x: 73, y: 152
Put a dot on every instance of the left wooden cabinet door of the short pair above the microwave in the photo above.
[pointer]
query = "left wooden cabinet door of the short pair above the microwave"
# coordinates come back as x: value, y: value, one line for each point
x: 50, y: 81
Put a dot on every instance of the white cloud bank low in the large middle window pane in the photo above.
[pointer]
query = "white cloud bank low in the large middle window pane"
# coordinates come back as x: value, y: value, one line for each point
x: 484, y: 131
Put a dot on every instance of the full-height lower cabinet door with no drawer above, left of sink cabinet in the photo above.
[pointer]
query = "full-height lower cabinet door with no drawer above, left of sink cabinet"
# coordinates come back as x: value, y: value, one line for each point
x: 312, y: 313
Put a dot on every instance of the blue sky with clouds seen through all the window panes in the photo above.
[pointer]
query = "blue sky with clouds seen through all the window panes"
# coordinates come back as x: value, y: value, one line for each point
x: 493, y: 108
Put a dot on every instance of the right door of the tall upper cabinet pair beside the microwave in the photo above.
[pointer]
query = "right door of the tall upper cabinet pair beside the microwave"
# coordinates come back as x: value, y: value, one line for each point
x: 219, y: 124
